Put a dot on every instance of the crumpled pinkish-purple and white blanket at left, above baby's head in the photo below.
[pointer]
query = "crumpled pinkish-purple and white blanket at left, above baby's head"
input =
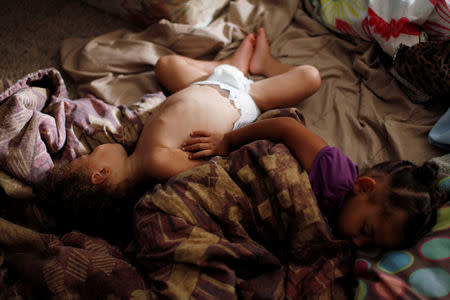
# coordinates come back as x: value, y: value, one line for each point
x: 41, y: 125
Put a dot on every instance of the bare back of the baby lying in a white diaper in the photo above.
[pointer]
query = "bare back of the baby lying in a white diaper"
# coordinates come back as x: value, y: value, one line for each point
x: 197, y: 107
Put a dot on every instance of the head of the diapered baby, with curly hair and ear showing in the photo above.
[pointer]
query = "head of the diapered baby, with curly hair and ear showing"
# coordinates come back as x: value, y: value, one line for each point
x: 90, y: 192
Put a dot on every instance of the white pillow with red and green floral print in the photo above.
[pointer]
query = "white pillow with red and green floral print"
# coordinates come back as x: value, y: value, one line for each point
x: 389, y: 23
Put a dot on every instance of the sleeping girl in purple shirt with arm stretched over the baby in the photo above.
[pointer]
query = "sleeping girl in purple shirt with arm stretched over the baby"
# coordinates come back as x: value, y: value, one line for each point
x: 390, y: 205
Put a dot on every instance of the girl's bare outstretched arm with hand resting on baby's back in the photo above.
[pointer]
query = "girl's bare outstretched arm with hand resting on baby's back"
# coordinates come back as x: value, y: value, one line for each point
x: 302, y: 142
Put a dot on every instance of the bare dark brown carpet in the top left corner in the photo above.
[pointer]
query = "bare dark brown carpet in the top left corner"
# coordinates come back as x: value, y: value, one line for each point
x: 31, y: 32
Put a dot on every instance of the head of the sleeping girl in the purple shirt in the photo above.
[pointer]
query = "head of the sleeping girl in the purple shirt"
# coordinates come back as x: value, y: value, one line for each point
x: 391, y: 205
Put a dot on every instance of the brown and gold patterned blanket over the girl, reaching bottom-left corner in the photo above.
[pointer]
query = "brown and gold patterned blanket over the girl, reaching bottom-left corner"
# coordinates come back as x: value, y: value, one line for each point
x: 245, y: 226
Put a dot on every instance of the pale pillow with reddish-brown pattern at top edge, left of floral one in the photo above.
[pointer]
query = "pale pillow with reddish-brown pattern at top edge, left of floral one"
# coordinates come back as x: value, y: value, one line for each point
x: 145, y: 12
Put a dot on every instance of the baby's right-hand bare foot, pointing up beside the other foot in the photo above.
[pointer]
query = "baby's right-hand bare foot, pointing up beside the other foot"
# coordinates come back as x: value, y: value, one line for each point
x: 261, y: 56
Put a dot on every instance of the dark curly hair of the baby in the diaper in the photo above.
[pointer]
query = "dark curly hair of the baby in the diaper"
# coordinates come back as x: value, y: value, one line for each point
x: 75, y: 203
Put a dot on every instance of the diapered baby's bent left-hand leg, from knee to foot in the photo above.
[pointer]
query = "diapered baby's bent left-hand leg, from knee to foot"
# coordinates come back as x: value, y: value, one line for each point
x: 176, y: 72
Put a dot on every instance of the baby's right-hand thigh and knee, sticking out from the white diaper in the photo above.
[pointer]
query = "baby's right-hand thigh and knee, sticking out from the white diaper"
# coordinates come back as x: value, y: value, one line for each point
x: 286, y: 89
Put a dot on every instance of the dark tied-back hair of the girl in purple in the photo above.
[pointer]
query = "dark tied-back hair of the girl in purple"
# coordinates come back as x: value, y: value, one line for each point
x: 415, y: 190
